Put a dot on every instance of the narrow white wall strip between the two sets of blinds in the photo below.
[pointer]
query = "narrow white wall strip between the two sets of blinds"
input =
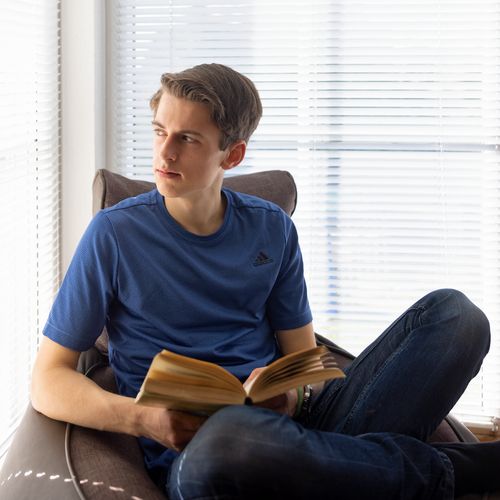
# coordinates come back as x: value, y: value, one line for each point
x: 83, y: 118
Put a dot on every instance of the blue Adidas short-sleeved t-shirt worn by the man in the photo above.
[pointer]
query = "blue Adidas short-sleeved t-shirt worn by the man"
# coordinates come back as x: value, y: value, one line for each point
x: 155, y: 286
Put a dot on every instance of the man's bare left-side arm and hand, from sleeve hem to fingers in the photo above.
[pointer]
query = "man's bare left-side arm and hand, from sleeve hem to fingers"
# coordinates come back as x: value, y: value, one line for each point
x: 60, y: 392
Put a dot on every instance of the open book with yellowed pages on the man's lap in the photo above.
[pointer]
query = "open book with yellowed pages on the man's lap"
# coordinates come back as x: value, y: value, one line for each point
x: 181, y: 383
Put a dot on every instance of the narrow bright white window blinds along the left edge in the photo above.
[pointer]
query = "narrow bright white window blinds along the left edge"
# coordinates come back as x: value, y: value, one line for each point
x: 29, y: 187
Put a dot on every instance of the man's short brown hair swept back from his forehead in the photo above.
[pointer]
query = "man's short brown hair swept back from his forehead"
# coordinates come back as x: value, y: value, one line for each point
x: 232, y: 98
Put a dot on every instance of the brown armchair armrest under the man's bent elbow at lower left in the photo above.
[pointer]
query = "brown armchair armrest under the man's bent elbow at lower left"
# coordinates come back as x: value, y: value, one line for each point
x: 50, y: 459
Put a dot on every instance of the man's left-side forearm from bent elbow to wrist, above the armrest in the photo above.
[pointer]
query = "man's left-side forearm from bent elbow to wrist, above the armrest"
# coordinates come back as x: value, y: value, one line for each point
x: 62, y: 393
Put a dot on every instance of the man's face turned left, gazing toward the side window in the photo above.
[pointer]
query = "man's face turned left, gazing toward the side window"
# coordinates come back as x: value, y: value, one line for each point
x: 187, y: 161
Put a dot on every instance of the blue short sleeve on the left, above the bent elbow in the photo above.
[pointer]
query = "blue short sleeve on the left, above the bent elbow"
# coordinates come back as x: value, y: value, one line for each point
x: 79, y: 312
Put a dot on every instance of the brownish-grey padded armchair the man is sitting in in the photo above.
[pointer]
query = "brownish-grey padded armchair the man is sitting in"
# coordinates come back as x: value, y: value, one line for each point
x: 49, y: 459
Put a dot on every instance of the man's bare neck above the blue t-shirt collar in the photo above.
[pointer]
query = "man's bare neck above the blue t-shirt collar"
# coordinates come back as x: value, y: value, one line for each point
x: 197, y: 215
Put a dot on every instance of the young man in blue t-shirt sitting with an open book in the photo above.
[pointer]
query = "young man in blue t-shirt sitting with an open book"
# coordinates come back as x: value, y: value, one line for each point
x: 174, y: 268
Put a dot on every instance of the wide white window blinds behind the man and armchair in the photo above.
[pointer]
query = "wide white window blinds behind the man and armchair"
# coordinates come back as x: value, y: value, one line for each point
x: 387, y: 115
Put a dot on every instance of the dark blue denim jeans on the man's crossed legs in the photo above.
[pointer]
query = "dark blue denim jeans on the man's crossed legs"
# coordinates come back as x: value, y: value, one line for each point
x: 365, y: 435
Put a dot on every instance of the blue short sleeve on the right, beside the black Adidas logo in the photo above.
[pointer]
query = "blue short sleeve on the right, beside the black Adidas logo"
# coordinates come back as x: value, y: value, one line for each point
x: 288, y: 305
